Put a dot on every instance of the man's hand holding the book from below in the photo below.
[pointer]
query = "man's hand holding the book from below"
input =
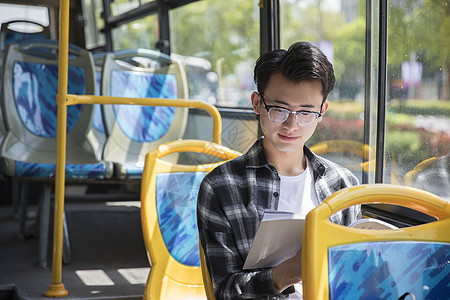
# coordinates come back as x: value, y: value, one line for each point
x: 288, y: 272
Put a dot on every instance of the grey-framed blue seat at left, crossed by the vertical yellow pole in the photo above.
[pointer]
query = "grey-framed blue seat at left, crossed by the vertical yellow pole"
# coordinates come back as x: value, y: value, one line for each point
x: 29, y: 87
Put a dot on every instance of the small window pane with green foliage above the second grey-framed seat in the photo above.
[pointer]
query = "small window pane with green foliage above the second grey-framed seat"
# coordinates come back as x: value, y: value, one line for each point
x: 141, y: 33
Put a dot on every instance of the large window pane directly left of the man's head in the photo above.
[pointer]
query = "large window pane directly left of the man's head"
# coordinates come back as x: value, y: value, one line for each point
x: 219, y: 43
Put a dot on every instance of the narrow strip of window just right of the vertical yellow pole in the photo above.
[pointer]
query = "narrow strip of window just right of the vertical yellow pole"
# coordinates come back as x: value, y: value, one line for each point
x: 93, y: 23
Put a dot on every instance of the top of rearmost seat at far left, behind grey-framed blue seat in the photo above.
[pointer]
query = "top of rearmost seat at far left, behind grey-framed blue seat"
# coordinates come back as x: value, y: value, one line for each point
x: 22, y: 30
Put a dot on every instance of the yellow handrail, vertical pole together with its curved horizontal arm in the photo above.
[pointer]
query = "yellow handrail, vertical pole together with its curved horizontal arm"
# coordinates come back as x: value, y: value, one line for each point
x: 56, y: 288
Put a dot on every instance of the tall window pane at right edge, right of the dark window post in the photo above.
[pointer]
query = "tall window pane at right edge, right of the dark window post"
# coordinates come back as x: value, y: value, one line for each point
x: 417, y: 146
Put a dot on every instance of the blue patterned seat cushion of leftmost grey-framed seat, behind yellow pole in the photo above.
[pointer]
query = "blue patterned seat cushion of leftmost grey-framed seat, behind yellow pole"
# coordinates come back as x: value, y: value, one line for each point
x: 41, y: 170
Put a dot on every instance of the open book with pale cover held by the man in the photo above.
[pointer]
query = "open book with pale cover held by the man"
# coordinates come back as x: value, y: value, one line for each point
x: 280, y: 236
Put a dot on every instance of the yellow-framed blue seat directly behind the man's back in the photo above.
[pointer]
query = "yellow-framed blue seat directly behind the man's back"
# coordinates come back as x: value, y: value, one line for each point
x: 169, y: 219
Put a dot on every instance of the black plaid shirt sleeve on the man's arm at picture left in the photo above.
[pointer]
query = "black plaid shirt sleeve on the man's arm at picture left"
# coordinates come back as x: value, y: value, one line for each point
x: 222, y: 256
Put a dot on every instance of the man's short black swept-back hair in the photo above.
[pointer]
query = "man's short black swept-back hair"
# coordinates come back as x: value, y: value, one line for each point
x: 301, y: 62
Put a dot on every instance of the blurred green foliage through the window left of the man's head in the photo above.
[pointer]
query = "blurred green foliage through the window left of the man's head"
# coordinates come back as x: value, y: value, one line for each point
x: 220, y: 31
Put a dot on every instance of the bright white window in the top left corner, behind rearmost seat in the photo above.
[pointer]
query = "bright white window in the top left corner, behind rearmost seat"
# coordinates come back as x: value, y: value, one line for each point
x: 10, y: 12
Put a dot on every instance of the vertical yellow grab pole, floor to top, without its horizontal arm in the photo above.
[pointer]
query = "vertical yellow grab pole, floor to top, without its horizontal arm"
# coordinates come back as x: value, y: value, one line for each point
x: 56, y: 288
